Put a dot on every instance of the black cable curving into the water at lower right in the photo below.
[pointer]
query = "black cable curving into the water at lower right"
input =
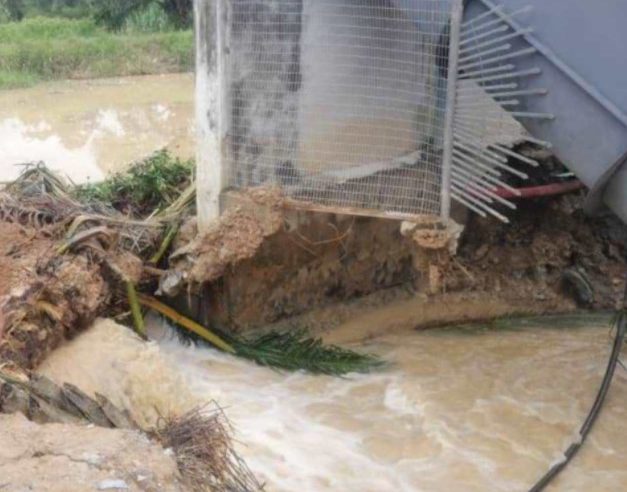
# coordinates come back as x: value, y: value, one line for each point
x: 621, y: 327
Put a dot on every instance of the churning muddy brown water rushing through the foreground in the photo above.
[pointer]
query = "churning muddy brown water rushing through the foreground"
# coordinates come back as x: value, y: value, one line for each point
x: 470, y: 409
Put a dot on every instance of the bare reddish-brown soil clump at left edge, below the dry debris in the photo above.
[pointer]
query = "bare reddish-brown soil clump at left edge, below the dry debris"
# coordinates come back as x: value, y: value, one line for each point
x: 45, y: 298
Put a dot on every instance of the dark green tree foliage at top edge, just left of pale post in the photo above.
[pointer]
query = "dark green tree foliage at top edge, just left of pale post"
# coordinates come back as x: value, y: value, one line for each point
x: 114, y: 13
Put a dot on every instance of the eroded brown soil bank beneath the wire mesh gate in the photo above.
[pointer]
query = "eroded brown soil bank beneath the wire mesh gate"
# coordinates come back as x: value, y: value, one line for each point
x: 550, y: 259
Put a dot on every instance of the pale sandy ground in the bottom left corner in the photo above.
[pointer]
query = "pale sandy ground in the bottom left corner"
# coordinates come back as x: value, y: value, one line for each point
x: 72, y: 458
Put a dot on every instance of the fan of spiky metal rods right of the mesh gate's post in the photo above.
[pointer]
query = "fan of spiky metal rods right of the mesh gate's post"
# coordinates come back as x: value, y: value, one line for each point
x: 492, y: 94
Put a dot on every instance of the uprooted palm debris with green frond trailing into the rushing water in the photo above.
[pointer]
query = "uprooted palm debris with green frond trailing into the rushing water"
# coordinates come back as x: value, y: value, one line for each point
x: 124, y: 227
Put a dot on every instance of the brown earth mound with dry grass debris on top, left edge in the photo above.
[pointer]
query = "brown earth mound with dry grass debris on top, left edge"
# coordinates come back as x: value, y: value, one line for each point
x: 85, y: 249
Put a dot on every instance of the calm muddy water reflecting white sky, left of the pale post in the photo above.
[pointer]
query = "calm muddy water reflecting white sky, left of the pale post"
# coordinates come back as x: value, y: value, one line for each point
x: 89, y: 128
